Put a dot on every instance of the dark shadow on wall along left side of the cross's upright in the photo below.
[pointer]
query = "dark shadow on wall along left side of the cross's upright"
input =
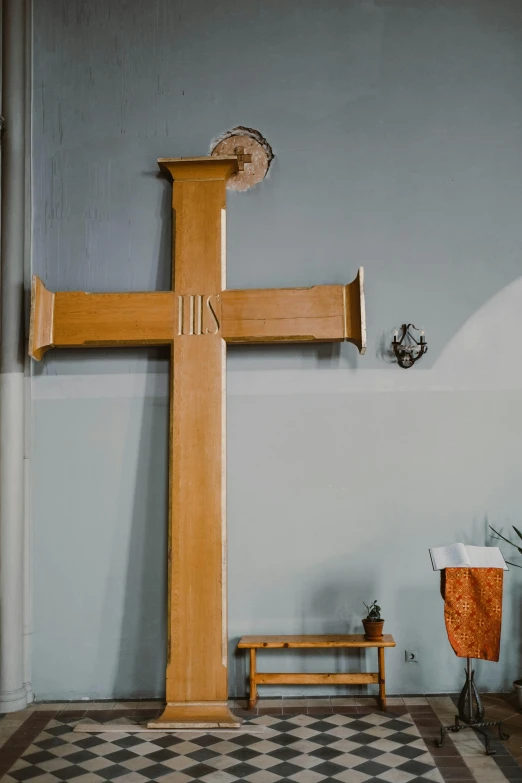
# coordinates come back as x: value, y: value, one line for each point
x: 143, y: 632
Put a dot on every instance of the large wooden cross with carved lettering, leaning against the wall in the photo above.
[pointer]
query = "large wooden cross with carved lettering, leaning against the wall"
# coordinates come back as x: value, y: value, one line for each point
x: 197, y: 319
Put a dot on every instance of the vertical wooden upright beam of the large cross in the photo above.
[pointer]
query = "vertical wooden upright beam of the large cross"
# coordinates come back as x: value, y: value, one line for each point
x: 197, y: 681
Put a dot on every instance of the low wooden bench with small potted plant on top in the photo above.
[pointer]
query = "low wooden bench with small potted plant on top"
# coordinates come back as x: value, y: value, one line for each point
x: 352, y: 641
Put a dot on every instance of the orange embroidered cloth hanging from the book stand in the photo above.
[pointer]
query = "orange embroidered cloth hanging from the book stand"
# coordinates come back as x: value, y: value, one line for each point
x: 473, y: 610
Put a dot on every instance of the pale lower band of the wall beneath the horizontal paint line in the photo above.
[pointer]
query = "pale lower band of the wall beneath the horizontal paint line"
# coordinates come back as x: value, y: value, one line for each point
x: 333, y: 499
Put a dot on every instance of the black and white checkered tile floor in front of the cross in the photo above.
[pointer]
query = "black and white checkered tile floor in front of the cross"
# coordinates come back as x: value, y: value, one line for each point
x: 301, y: 748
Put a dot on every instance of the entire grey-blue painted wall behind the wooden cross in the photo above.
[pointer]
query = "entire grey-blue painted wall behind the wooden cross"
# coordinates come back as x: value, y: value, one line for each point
x: 396, y: 129
